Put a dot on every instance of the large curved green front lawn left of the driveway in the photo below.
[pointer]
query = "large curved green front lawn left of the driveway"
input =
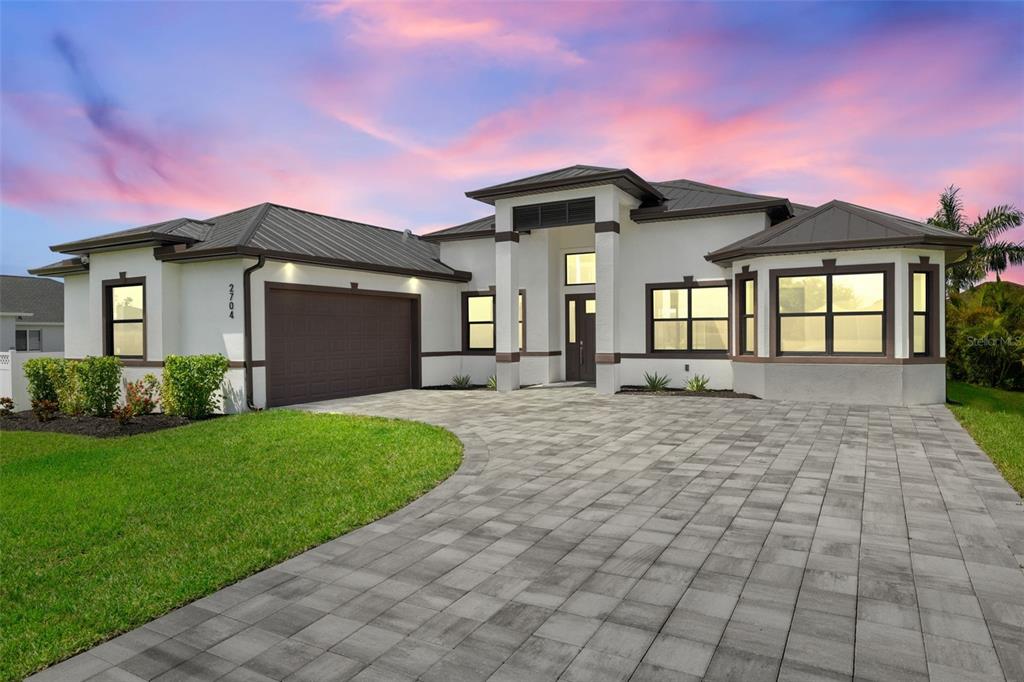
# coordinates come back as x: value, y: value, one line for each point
x: 100, y: 537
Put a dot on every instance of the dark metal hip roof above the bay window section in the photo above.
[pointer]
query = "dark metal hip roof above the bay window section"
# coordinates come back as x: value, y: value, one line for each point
x: 841, y: 226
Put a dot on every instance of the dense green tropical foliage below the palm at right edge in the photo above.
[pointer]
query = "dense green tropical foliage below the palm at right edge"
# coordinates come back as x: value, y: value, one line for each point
x: 986, y: 336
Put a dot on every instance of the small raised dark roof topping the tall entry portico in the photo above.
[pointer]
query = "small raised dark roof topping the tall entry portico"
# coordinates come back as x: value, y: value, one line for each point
x: 568, y: 179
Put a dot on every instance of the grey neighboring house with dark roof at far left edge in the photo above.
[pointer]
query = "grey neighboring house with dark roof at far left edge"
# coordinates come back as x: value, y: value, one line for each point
x: 31, y: 314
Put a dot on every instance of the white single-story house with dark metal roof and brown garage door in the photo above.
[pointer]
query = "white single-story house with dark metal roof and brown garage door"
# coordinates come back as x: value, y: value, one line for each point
x: 582, y: 274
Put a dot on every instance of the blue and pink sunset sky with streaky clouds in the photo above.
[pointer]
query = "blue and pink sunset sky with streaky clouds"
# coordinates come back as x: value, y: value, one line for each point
x: 114, y: 115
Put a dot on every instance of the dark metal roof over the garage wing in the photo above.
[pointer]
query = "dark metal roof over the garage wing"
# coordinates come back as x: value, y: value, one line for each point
x: 285, y: 233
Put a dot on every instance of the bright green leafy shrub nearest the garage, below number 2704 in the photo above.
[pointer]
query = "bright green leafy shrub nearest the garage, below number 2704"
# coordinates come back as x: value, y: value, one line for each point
x: 191, y: 385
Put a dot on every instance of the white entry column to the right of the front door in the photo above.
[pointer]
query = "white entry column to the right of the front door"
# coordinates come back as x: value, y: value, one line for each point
x: 607, y: 290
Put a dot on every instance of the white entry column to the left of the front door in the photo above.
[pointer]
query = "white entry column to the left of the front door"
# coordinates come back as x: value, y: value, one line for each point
x: 506, y: 301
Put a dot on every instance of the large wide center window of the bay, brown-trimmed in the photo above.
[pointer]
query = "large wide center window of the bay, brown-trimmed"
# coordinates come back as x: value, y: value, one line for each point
x: 832, y: 314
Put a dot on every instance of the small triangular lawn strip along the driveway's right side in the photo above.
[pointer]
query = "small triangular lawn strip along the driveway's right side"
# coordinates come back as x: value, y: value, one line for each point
x: 996, y: 420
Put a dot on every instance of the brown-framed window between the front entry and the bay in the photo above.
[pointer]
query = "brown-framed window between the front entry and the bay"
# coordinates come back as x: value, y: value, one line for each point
x: 689, y: 318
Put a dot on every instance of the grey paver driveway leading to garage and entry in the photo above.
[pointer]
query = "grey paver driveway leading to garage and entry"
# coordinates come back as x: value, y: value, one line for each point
x: 602, y: 538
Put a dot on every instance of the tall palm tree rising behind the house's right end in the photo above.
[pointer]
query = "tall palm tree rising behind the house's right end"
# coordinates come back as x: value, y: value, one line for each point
x: 993, y: 254
